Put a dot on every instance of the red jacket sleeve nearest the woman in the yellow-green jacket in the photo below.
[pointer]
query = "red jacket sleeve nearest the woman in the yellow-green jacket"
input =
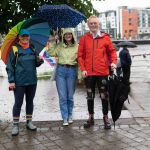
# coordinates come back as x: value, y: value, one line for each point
x: 81, y: 54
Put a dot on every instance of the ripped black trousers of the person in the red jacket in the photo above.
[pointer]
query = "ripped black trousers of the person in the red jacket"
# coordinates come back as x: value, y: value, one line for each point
x: 101, y: 82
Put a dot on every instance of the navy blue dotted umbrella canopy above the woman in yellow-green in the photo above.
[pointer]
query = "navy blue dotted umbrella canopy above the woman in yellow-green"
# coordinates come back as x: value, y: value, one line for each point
x: 60, y: 16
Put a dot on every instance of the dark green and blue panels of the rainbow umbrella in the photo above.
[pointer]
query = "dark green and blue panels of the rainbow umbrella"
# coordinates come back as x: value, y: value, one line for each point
x: 39, y: 32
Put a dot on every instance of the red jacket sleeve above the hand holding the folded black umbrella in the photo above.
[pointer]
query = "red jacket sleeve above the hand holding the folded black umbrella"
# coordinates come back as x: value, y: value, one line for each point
x: 112, y: 51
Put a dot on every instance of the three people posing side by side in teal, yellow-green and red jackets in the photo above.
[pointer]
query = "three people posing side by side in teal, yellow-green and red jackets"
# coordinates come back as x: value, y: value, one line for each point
x: 93, y: 53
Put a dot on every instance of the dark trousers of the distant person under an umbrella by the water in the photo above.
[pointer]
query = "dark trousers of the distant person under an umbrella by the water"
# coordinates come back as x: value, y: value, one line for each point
x: 126, y: 74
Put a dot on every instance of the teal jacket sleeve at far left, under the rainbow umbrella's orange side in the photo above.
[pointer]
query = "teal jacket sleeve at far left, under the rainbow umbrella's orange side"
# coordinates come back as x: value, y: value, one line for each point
x: 10, y: 67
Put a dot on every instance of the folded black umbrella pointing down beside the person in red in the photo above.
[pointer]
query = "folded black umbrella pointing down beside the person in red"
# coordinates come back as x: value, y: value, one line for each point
x: 118, y: 94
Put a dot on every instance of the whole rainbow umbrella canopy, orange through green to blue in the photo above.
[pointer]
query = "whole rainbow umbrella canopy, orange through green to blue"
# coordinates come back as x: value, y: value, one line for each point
x: 39, y: 32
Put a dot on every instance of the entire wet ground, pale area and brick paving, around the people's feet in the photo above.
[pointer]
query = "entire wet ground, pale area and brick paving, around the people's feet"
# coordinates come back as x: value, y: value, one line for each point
x: 132, y: 131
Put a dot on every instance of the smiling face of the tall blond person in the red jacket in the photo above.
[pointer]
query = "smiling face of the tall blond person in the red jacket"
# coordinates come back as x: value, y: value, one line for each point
x: 94, y: 25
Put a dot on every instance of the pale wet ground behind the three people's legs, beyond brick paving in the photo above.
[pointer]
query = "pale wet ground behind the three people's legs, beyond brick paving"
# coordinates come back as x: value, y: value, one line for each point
x: 46, y: 103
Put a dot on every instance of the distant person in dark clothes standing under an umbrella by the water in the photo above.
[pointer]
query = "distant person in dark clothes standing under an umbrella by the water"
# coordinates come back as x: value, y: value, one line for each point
x: 125, y: 60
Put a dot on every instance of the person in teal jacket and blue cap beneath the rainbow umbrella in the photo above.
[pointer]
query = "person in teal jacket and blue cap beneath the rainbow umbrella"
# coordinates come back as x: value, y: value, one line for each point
x: 22, y: 77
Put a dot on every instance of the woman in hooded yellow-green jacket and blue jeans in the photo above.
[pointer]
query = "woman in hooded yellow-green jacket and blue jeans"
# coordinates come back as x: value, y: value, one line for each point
x: 66, y: 72
